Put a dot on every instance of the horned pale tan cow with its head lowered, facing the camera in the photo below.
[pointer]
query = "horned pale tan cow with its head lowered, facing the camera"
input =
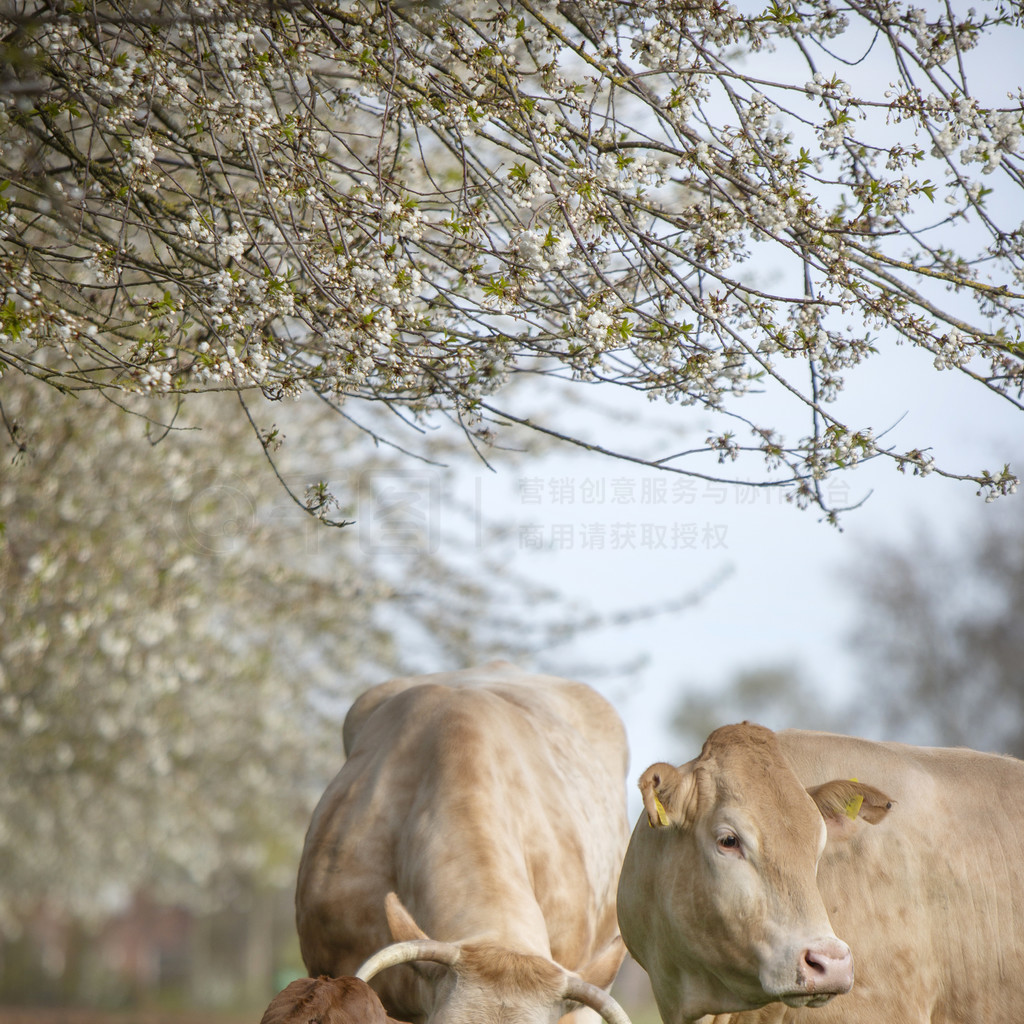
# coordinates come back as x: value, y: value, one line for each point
x: 491, y: 804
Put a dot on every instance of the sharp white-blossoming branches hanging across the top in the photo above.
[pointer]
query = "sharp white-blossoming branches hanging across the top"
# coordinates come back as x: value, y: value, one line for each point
x: 415, y: 203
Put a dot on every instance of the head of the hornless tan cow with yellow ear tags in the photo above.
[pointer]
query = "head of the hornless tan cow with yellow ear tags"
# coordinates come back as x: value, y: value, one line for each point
x: 718, y: 898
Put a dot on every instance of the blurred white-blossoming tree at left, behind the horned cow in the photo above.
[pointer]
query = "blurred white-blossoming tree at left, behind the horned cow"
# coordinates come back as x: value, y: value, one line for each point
x: 177, y: 641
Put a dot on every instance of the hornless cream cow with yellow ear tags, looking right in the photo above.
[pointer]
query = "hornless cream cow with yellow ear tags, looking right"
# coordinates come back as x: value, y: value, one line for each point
x: 749, y: 856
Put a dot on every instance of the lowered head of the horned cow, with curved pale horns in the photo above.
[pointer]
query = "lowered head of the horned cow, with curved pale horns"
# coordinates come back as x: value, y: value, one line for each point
x: 485, y: 984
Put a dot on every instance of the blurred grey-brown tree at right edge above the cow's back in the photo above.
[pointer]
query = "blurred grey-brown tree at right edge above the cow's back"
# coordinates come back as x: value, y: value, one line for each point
x: 940, y: 637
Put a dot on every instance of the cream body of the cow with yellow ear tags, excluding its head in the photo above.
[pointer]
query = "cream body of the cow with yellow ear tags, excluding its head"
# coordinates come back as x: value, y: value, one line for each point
x: 931, y: 900
